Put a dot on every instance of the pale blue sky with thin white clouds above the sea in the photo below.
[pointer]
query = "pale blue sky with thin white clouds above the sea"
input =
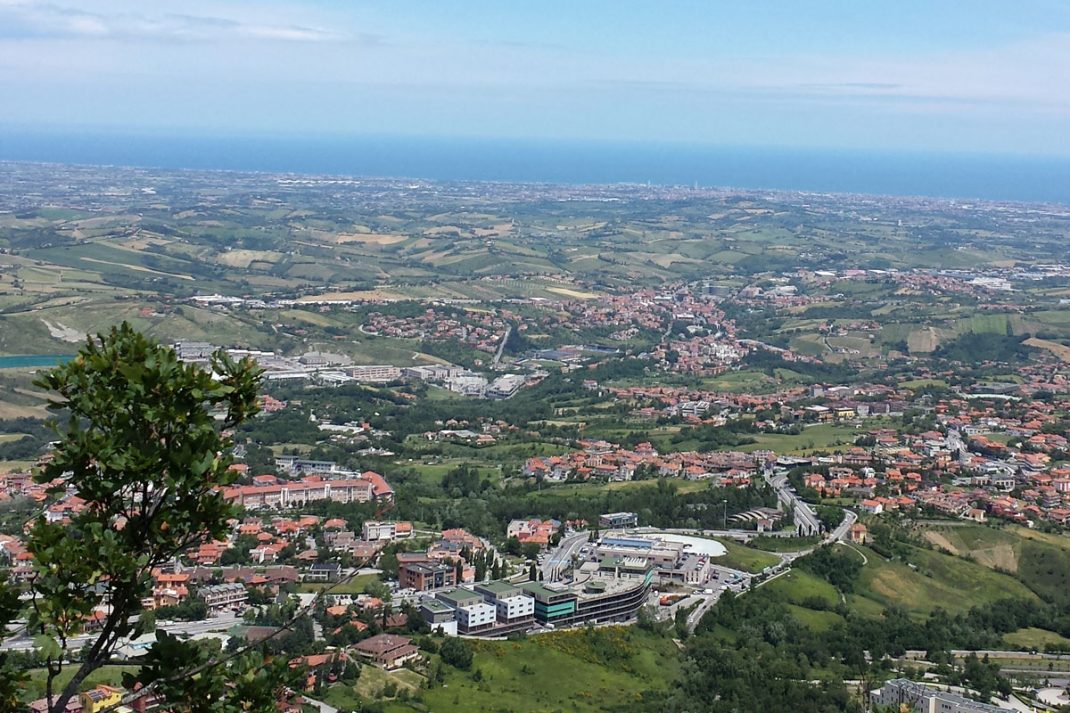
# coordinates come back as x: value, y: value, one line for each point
x: 904, y: 75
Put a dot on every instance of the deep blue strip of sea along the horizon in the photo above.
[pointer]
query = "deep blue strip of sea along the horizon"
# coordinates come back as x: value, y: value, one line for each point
x: 961, y: 176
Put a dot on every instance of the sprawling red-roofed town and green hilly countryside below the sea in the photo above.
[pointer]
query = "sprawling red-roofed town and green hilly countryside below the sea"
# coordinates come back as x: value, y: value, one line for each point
x: 636, y: 438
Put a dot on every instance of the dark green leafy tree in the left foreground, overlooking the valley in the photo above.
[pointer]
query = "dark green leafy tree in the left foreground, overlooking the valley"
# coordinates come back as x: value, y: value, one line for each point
x: 143, y: 449
